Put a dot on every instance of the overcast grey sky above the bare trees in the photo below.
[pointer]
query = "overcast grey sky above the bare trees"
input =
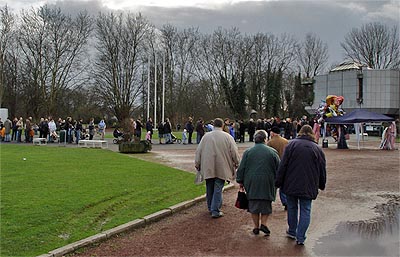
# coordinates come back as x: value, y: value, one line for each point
x: 330, y: 20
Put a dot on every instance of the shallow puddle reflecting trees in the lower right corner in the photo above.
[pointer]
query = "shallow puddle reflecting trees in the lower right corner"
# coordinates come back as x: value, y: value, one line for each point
x: 376, y: 237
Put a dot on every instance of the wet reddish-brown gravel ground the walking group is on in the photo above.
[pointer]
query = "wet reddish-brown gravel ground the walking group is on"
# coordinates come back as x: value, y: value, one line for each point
x: 357, y: 214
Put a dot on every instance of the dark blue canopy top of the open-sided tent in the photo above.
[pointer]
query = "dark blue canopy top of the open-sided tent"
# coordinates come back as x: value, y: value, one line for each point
x: 358, y: 116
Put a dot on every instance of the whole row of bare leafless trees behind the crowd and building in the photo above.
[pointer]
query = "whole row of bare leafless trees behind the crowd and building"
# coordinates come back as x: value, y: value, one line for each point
x: 54, y: 63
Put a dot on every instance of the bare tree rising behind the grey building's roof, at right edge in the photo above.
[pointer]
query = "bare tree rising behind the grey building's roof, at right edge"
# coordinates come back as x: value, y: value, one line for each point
x: 375, y: 44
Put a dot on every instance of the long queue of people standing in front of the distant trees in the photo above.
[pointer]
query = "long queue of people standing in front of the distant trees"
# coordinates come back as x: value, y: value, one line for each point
x: 71, y: 131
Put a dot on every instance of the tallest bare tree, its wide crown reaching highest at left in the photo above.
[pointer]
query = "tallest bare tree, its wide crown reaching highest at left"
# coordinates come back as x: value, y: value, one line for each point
x: 53, y: 45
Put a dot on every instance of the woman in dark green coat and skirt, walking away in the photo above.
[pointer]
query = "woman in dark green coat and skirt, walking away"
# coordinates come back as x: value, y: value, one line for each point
x: 256, y: 174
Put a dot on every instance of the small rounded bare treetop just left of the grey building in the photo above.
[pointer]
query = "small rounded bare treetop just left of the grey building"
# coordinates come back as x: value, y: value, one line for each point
x: 312, y: 55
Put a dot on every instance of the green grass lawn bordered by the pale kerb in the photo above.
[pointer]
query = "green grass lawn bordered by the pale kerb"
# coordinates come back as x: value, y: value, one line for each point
x: 60, y: 195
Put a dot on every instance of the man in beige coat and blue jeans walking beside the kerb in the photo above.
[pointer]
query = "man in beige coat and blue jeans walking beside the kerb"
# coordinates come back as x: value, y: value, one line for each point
x: 217, y: 158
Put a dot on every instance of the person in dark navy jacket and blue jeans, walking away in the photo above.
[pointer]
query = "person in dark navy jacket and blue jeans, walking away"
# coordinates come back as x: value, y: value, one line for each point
x: 301, y: 173
